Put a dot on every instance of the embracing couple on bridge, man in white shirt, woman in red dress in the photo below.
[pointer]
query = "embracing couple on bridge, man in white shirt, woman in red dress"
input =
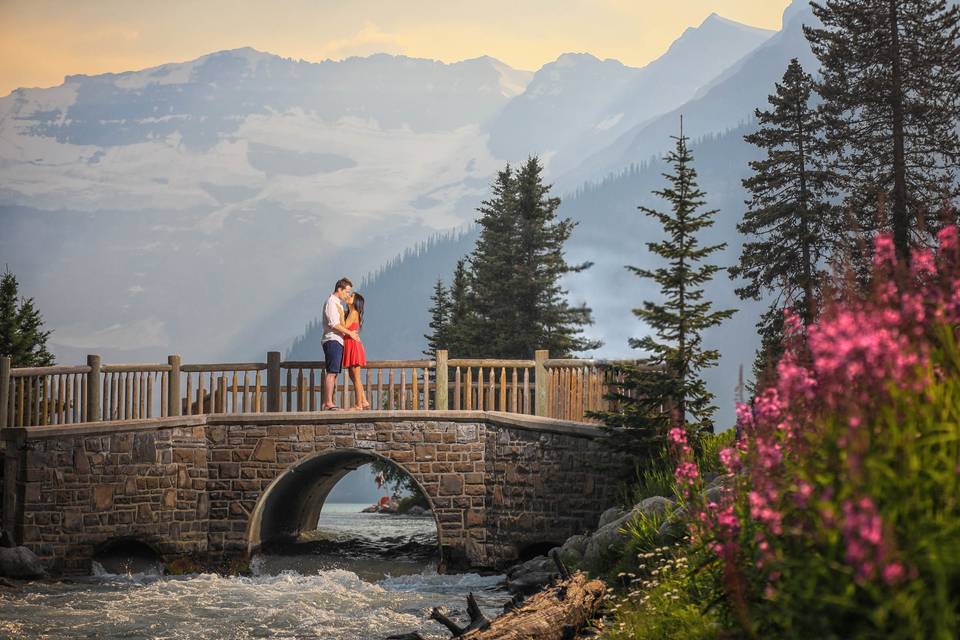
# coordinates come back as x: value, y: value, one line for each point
x: 342, y: 348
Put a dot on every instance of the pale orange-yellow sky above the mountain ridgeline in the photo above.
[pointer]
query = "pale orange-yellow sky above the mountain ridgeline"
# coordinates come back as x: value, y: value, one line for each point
x: 41, y: 41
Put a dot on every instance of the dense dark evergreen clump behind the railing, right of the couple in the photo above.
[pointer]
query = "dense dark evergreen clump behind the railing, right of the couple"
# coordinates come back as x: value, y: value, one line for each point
x: 510, y: 302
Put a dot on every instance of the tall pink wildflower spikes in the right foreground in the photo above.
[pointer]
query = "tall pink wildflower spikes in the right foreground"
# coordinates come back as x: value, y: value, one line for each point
x: 842, y: 367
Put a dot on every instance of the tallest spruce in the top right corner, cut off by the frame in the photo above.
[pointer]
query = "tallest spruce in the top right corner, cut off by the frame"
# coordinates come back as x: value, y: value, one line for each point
x: 890, y: 71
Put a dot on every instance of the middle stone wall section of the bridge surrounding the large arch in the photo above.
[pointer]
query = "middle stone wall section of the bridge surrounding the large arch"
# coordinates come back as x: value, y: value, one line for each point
x: 445, y: 458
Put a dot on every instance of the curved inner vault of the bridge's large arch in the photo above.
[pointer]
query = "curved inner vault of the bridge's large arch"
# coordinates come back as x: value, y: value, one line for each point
x: 292, y: 503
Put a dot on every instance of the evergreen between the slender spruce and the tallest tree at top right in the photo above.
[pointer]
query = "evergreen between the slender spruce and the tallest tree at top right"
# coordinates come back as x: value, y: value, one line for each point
x: 789, y: 221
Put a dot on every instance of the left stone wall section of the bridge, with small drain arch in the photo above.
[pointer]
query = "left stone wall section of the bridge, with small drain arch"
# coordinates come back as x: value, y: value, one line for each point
x: 80, y: 492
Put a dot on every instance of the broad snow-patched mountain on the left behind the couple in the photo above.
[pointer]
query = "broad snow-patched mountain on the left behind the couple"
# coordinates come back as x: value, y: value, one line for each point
x: 188, y: 200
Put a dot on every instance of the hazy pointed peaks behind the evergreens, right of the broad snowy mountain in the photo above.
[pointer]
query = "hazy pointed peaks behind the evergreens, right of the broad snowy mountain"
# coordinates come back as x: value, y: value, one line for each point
x: 578, y: 104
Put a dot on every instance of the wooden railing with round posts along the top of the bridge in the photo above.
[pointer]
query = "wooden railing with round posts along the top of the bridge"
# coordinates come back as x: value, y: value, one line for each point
x: 568, y: 389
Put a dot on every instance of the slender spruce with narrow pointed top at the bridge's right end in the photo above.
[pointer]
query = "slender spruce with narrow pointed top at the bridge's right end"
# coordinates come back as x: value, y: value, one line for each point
x: 671, y: 372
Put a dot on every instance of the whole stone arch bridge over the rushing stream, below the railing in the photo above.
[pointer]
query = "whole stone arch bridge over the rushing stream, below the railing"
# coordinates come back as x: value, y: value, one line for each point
x: 218, y: 486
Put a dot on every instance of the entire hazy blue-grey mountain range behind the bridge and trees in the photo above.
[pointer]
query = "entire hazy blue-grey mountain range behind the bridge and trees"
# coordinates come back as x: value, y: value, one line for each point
x: 206, y: 207
